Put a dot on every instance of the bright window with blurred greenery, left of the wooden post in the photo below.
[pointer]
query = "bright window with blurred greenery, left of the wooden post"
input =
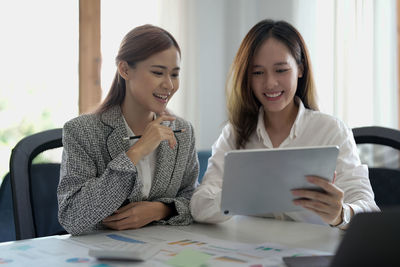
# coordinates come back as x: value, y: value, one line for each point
x: 39, y: 69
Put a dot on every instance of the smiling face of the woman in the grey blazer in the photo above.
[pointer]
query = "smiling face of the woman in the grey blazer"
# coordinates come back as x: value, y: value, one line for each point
x: 151, y: 83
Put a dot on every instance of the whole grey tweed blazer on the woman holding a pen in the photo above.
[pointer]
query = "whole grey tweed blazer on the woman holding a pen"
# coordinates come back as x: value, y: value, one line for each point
x: 97, y: 176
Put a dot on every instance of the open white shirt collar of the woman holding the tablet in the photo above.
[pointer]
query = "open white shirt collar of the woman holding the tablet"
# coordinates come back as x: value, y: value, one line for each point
x: 261, y: 132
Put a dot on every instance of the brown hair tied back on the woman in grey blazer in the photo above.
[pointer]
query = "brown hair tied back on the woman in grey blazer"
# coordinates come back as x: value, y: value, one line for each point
x: 137, y: 45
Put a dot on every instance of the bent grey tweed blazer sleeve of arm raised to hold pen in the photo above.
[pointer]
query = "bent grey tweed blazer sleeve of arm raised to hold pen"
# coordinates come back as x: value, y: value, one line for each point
x: 86, y: 197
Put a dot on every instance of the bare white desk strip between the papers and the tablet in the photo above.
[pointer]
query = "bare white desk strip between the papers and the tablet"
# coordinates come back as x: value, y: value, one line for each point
x: 259, y: 230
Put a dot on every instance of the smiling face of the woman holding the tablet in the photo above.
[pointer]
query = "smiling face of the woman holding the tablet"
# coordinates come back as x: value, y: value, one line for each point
x: 274, y: 74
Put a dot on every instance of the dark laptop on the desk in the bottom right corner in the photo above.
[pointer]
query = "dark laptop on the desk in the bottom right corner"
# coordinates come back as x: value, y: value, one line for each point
x: 372, y: 239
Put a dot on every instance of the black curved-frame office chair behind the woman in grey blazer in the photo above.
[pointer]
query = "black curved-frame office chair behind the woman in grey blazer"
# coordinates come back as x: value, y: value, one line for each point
x: 34, y: 186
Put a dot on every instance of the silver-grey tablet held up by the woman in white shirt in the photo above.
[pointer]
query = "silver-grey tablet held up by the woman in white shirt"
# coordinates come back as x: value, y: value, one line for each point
x: 259, y: 181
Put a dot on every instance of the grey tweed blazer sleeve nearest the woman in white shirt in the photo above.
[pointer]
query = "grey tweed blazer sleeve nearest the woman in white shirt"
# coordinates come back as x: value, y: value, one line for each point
x: 185, y: 192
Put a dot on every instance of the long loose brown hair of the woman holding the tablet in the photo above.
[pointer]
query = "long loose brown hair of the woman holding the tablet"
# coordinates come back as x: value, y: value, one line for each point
x: 242, y: 104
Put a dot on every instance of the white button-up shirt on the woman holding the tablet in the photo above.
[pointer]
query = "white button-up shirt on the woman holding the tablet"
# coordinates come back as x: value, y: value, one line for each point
x: 311, y: 128
